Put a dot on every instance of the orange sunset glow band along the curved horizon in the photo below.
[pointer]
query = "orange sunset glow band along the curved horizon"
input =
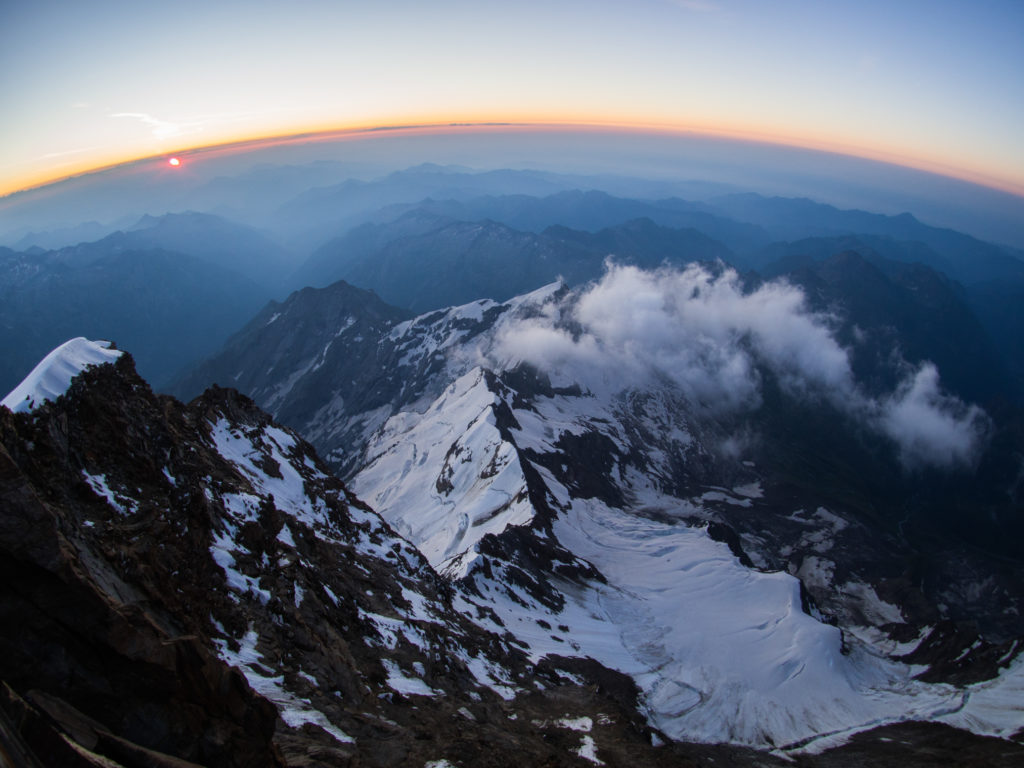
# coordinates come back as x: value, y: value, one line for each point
x: 433, y: 127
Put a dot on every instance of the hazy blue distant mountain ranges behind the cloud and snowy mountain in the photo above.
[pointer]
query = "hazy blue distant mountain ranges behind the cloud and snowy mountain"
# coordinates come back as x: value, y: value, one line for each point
x: 443, y: 251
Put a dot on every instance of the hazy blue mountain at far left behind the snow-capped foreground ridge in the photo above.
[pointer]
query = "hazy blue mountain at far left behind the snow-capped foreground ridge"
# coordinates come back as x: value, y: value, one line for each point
x: 173, y: 309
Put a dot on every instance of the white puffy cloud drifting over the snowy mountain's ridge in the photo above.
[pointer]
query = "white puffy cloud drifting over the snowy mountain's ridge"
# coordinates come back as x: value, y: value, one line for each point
x: 703, y: 332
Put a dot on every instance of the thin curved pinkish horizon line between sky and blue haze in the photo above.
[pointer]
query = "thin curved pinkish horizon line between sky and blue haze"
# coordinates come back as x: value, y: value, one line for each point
x: 325, y: 135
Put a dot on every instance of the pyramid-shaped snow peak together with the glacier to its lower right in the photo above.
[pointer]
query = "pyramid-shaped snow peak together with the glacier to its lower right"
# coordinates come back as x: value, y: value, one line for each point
x: 720, y: 653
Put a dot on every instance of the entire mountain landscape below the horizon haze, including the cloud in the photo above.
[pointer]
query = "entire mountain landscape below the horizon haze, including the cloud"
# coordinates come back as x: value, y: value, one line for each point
x: 525, y: 474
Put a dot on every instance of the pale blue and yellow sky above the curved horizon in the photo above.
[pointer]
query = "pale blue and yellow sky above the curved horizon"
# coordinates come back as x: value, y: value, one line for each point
x: 931, y: 83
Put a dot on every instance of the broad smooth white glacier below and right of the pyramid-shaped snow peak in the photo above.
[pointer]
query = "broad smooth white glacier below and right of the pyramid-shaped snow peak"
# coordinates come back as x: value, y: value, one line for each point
x: 723, y: 653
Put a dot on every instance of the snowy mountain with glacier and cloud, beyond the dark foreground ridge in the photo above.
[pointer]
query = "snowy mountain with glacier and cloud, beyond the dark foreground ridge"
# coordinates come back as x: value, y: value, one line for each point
x: 679, y: 480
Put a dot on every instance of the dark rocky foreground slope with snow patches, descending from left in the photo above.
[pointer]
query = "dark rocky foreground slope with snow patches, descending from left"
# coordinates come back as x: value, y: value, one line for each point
x: 189, y: 584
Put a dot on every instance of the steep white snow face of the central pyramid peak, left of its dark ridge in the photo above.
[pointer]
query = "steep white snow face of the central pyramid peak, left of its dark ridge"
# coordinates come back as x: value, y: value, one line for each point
x: 446, y: 479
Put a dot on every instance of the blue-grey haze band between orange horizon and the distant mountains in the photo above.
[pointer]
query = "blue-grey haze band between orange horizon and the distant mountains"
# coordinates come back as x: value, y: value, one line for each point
x: 250, y: 184
